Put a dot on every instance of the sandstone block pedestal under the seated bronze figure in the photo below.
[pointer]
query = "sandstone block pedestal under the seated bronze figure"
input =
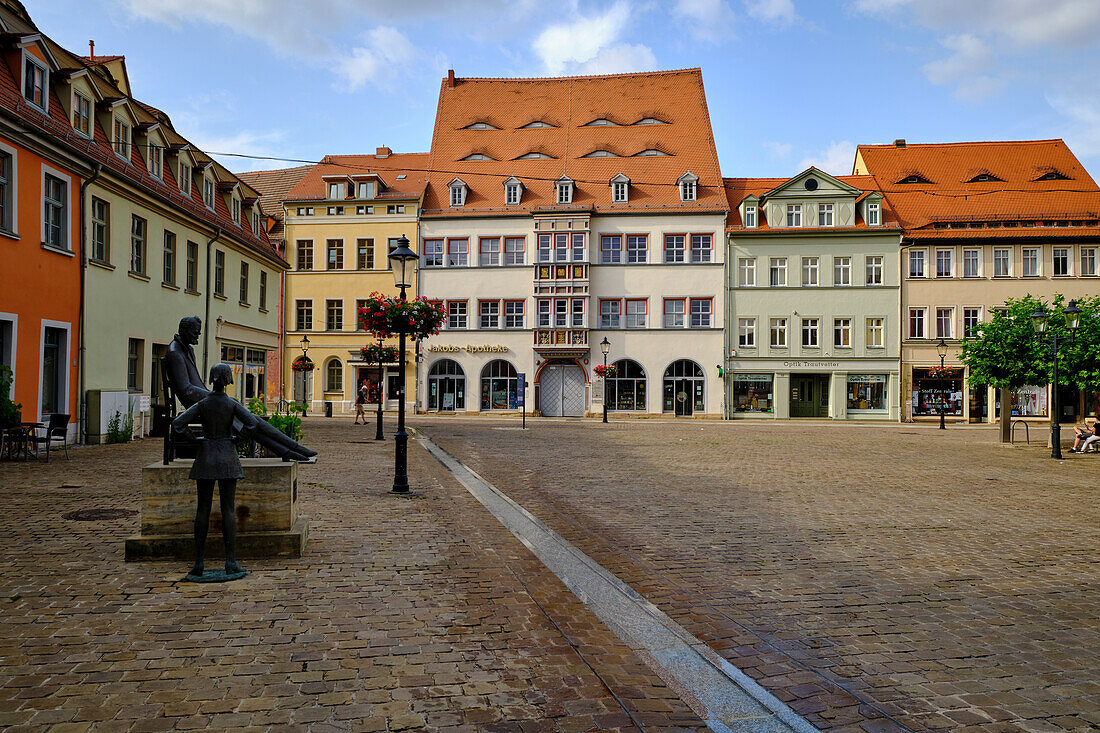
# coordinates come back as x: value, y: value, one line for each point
x: 268, y: 522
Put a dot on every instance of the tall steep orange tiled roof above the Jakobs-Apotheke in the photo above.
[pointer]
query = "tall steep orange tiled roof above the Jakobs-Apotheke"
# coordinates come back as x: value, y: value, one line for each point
x: 675, y: 100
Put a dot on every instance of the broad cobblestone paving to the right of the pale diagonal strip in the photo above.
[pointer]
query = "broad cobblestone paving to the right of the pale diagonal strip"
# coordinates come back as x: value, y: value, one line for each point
x: 874, y: 578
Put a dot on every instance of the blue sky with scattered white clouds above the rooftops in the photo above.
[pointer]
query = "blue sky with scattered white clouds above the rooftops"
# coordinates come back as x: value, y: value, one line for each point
x: 789, y: 83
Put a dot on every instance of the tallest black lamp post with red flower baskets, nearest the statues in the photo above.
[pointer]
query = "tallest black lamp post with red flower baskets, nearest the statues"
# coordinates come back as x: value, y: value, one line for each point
x: 419, y: 319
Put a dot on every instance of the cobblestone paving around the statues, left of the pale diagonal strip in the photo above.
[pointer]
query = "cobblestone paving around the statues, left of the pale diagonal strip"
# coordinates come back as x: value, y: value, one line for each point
x: 419, y: 614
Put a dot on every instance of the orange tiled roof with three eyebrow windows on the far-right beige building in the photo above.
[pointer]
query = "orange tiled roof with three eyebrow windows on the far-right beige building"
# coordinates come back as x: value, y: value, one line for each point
x: 950, y: 196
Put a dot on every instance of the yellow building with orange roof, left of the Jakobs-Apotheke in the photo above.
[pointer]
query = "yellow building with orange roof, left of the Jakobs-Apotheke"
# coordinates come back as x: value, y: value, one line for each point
x: 342, y: 222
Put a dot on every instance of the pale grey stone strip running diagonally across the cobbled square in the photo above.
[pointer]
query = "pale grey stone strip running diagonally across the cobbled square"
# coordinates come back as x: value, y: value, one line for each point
x: 730, y: 699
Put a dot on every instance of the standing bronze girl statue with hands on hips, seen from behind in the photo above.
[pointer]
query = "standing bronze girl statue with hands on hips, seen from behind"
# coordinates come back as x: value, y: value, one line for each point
x: 217, y: 462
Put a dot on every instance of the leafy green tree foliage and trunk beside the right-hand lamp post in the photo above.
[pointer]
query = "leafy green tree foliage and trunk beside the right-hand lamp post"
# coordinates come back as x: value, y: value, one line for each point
x: 1006, y: 354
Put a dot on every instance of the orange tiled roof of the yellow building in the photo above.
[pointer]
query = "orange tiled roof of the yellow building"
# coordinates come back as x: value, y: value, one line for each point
x: 414, y: 167
